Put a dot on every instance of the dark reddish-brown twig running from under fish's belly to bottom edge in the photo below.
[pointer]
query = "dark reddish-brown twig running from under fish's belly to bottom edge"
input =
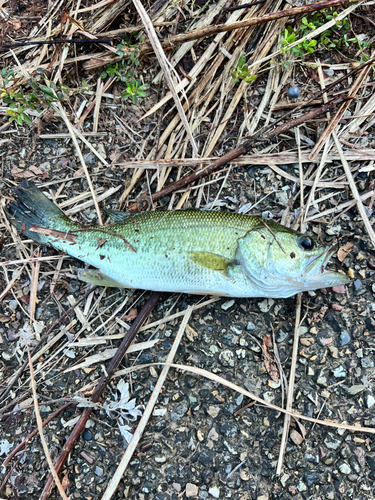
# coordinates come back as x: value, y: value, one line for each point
x: 80, y: 425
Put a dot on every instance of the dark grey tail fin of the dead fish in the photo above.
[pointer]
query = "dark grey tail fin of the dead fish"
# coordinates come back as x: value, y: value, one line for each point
x: 34, y: 209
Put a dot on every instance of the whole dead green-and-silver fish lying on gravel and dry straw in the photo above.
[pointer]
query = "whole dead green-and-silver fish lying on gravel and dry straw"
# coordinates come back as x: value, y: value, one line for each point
x: 187, y: 251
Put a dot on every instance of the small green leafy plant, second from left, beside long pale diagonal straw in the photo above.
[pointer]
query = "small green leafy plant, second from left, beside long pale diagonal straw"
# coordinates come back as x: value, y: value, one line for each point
x: 126, y: 69
